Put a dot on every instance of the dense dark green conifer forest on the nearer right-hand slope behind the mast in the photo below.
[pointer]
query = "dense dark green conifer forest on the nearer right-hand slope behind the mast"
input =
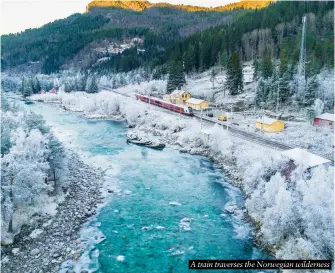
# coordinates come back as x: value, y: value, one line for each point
x: 275, y: 29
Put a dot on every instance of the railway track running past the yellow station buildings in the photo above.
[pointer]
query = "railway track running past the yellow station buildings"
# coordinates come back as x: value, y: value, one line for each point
x: 252, y: 137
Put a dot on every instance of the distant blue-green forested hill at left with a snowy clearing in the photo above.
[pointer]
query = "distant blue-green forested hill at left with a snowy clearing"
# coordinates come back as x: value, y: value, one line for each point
x: 76, y: 42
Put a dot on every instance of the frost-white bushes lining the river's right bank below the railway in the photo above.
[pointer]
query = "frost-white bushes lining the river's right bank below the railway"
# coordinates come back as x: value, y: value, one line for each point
x: 285, y: 220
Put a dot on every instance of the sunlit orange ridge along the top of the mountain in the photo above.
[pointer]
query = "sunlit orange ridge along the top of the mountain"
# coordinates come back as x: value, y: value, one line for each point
x: 143, y: 5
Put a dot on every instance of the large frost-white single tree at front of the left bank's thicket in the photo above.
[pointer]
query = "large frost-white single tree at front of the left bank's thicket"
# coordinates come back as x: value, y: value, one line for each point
x: 24, y: 169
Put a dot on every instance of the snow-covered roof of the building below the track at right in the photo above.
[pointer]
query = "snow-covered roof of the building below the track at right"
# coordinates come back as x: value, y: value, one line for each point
x: 305, y: 158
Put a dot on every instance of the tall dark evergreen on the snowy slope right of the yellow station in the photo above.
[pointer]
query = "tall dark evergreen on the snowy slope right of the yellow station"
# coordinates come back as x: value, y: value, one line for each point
x: 234, y: 79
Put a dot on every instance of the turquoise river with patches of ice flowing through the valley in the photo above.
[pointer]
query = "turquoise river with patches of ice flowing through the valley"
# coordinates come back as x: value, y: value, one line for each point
x: 138, y: 229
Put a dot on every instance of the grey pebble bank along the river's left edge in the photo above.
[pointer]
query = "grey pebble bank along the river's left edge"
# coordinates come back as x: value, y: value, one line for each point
x: 50, y: 241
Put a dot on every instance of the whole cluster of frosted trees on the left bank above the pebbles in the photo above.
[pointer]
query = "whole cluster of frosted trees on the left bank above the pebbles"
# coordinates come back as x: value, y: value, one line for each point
x: 29, y: 153
